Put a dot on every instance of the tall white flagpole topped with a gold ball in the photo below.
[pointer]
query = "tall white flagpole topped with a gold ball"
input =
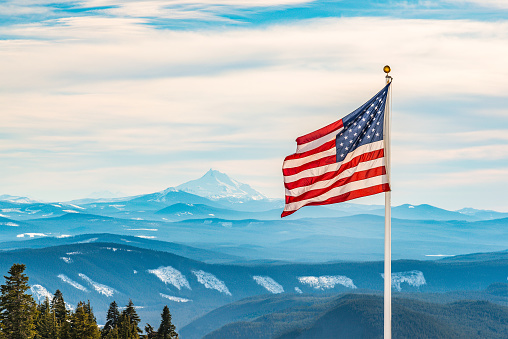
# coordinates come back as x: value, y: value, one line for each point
x: 388, y: 218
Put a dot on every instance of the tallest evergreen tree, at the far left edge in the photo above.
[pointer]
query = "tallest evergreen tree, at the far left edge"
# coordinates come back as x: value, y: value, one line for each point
x: 17, y: 309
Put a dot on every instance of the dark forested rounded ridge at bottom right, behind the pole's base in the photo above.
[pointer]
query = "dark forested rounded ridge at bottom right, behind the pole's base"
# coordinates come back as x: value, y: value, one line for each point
x: 361, y: 316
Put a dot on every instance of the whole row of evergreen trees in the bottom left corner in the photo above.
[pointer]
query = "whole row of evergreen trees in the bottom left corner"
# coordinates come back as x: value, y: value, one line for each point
x: 22, y: 318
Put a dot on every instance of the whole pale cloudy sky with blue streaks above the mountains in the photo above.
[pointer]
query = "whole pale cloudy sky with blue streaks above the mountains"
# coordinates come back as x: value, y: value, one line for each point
x: 133, y: 97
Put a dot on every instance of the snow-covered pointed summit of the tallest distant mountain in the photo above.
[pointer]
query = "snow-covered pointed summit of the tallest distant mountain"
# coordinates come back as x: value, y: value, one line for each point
x: 217, y: 185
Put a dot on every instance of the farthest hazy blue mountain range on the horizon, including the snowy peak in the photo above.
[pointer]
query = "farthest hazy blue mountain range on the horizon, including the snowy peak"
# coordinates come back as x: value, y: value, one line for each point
x: 217, y: 190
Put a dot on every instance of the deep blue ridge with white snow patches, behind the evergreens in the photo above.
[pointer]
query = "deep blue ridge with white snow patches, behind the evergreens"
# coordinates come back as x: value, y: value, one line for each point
x: 105, y: 271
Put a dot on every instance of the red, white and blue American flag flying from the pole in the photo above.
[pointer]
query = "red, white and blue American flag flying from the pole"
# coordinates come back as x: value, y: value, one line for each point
x: 342, y: 161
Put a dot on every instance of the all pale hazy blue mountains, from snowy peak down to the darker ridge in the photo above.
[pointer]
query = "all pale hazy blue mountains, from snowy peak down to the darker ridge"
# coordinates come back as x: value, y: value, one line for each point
x: 216, y: 222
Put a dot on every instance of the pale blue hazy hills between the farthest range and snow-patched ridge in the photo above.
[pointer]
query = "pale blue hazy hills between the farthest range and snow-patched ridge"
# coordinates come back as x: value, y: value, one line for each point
x: 358, y: 237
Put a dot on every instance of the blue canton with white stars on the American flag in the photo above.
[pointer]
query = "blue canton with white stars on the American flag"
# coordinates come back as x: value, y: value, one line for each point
x: 363, y: 126
